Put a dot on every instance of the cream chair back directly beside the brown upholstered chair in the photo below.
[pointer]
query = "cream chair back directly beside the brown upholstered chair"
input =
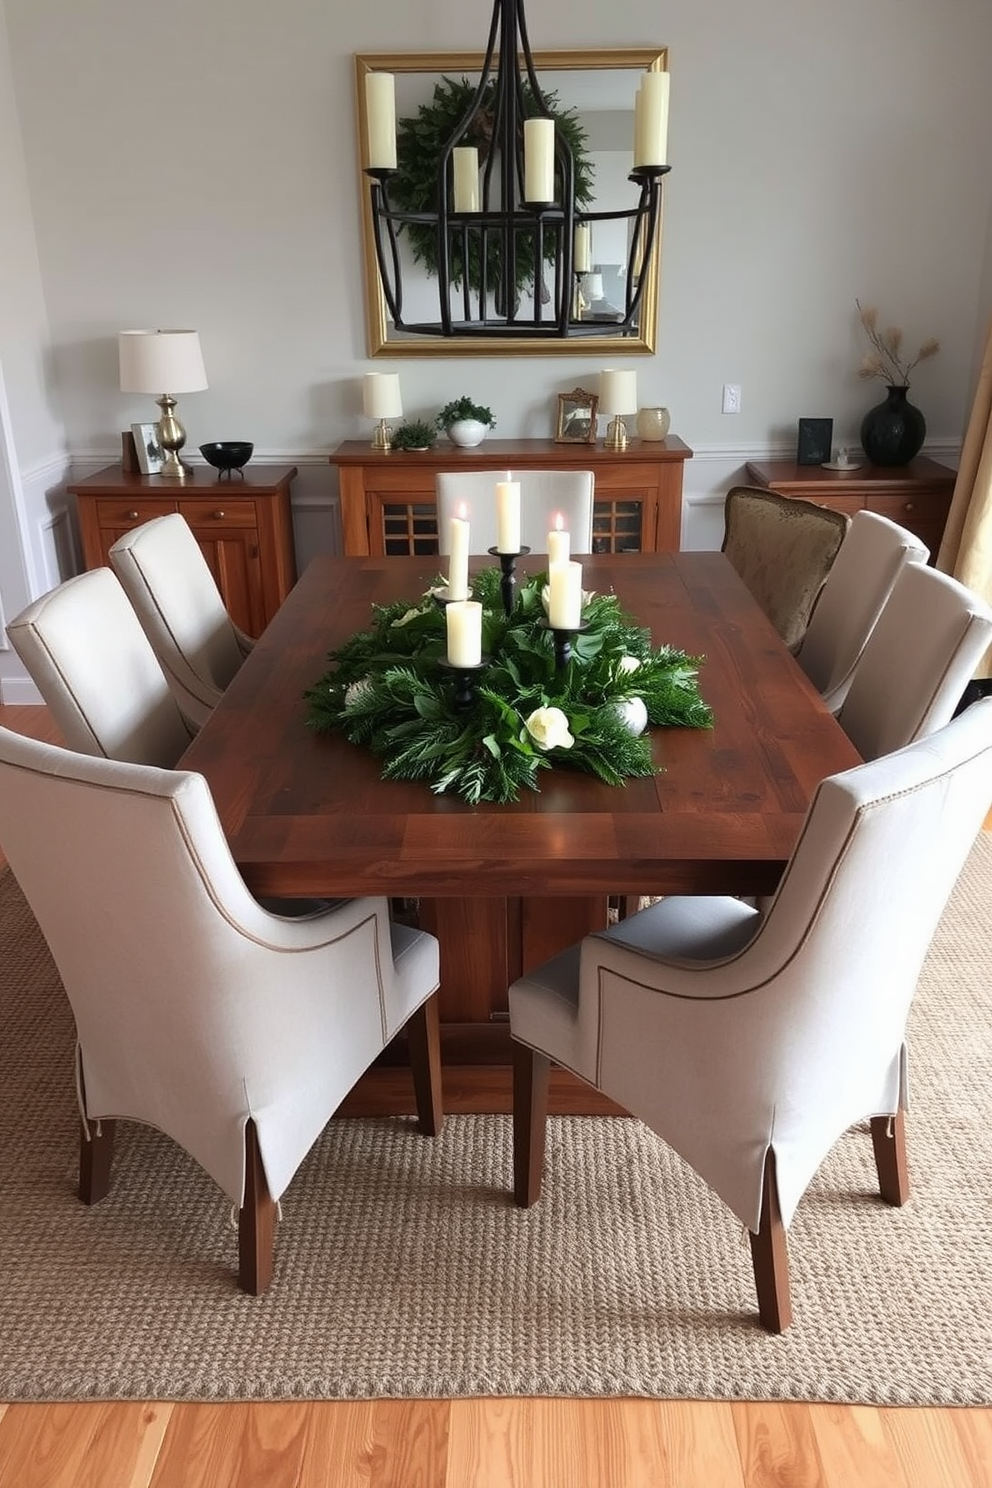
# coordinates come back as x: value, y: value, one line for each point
x: 851, y: 600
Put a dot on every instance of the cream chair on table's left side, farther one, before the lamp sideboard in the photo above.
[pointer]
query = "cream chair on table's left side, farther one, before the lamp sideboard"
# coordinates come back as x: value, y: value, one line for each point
x: 176, y: 599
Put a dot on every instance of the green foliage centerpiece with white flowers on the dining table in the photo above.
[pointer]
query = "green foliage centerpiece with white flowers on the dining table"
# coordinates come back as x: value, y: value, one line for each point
x: 389, y: 690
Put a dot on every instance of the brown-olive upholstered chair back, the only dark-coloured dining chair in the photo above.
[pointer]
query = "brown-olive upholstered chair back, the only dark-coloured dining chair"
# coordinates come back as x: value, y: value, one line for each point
x: 783, y: 548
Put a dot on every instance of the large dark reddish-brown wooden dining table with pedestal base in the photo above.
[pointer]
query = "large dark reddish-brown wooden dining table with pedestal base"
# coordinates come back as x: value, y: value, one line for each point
x: 508, y: 886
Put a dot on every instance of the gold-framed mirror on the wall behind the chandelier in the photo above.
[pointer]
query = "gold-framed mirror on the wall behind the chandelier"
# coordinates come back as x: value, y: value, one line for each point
x: 600, y: 87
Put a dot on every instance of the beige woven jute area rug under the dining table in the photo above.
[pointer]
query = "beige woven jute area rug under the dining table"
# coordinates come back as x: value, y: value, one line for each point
x: 404, y: 1269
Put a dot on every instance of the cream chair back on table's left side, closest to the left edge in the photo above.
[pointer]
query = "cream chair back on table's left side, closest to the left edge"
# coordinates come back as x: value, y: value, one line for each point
x: 90, y: 660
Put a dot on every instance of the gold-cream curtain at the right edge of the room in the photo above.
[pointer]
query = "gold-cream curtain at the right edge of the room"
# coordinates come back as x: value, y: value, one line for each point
x: 967, y: 545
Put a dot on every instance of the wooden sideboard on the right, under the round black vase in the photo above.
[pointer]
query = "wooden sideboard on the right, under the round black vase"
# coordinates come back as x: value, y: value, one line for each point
x: 917, y: 496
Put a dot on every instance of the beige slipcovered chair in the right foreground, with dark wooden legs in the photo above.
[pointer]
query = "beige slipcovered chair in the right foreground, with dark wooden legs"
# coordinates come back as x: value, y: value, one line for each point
x: 750, y: 1042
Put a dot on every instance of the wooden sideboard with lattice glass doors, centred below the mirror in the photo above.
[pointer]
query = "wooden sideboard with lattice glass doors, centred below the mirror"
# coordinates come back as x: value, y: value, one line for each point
x: 387, y: 499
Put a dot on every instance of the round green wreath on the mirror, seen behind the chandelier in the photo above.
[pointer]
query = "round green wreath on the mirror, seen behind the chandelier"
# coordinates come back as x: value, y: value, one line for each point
x: 420, y: 142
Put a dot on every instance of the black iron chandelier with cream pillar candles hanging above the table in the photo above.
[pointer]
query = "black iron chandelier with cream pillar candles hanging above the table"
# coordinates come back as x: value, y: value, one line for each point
x: 505, y: 212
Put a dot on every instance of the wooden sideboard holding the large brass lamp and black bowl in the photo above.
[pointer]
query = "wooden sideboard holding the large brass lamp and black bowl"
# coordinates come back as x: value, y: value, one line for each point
x: 245, y: 527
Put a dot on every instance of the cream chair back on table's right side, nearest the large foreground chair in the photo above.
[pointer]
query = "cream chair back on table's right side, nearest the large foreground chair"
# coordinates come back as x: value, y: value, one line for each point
x: 917, y: 663
